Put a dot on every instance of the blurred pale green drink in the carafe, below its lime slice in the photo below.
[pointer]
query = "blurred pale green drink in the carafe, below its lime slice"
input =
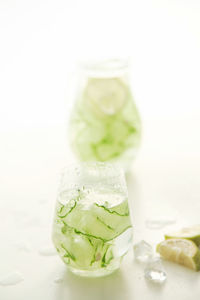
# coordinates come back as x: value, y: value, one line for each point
x: 97, y: 138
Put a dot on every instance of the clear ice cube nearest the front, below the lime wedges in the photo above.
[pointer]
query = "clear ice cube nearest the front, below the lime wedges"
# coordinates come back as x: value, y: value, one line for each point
x: 155, y: 272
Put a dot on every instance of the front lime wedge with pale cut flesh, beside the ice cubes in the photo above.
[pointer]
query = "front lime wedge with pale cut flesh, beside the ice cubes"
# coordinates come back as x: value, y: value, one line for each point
x: 181, y: 251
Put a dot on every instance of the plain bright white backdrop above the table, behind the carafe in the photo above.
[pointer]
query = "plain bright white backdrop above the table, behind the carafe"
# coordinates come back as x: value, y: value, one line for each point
x: 41, y: 41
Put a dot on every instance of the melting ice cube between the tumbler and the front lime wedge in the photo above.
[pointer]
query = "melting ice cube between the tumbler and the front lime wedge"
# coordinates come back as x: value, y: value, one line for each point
x: 143, y: 251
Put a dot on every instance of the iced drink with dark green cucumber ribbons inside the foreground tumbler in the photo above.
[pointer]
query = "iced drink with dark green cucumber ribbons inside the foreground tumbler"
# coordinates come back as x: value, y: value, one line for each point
x: 85, y: 231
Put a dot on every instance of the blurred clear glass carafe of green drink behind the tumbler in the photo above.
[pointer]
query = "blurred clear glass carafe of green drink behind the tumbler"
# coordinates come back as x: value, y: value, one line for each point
x: 105, y: 124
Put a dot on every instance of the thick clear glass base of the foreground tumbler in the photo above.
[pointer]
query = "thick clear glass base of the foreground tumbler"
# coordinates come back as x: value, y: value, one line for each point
x: 96, y: 273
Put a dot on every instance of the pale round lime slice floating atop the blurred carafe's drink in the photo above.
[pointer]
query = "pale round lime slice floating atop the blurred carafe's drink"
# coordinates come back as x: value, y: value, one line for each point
x: 106, y: 96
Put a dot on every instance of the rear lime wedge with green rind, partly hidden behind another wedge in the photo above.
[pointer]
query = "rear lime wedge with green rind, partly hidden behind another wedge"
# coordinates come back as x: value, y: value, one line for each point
x: 190, y: 233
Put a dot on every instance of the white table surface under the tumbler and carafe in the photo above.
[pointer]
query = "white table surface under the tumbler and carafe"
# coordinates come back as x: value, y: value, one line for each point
x: 164, y: 181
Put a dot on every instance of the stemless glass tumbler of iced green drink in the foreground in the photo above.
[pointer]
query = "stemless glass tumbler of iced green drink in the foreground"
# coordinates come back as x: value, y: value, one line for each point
x: 92, y: 228
